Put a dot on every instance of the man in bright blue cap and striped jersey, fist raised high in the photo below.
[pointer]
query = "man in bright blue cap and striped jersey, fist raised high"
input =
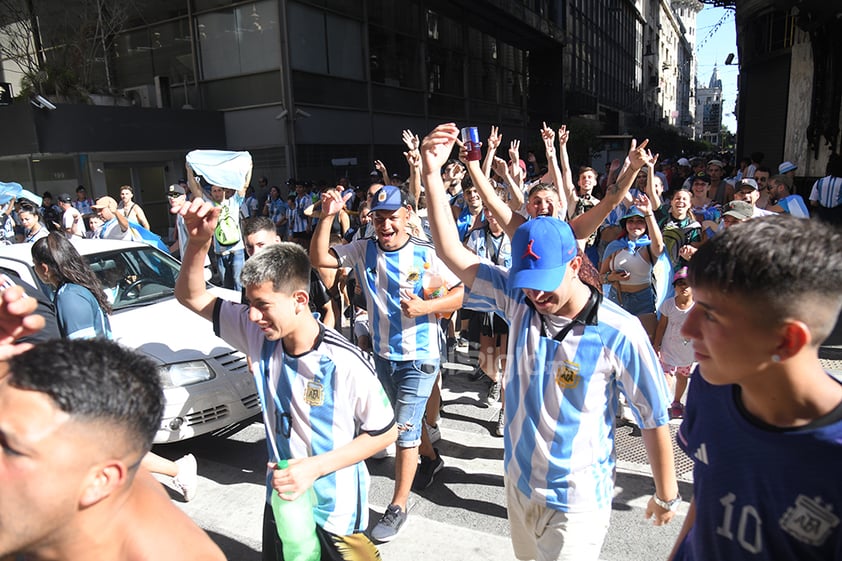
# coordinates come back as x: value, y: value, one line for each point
x: 571, y: 354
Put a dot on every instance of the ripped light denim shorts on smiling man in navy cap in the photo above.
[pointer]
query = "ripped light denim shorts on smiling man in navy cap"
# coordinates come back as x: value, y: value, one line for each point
x: 408, y: 384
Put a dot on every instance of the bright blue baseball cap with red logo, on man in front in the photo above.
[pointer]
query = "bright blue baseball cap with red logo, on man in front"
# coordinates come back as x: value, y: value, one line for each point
x: 541, y: 249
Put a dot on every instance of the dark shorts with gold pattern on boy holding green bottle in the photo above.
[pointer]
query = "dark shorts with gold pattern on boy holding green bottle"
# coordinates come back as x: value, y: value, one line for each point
x: 334, y: 548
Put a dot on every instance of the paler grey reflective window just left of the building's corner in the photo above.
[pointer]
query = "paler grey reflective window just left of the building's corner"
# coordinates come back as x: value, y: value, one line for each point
x: 242, y: 40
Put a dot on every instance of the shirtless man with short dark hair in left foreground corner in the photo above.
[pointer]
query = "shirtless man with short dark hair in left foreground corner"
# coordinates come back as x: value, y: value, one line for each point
x: 76, y: 417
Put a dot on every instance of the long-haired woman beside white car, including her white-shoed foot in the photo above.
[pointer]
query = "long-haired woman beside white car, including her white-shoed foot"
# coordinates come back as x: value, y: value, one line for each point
x: 82, y: 310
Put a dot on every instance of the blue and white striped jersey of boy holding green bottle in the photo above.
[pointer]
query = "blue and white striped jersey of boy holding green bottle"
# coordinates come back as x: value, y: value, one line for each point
x: 312, y: 404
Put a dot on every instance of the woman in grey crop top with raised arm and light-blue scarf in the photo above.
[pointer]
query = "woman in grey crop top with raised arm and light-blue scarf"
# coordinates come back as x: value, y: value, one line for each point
x: 628, y: 262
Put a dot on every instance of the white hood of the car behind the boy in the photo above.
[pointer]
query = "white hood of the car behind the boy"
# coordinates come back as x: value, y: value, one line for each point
x: 168, y: 332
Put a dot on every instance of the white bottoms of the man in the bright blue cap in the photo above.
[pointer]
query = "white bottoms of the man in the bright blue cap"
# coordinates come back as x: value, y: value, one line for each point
x: 545, y: 534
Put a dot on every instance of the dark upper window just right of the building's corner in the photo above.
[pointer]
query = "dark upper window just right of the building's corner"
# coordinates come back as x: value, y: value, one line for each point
x: 325, y: 43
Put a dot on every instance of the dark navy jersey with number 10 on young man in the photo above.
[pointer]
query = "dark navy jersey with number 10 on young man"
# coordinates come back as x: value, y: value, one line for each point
x: 760, y: 492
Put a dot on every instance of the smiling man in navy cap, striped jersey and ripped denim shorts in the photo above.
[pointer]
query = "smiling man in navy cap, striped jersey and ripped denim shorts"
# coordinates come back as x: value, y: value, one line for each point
x: 391, y: 270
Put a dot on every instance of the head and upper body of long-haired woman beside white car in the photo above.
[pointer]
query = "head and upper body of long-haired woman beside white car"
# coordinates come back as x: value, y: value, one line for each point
x: 81, y: 304
